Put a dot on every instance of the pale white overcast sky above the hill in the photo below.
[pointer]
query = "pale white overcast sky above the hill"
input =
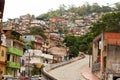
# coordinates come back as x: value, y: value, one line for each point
x: 15, y: 8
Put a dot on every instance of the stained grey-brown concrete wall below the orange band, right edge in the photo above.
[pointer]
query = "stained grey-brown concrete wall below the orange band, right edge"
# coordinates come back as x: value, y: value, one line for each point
x: 113, y: 58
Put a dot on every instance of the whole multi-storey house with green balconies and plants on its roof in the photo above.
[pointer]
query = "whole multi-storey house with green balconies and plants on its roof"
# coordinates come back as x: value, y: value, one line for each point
x: 14, y: 52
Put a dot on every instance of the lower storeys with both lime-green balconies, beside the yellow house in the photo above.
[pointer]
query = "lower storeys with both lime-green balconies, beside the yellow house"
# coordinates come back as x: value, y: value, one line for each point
x: 13, y: 61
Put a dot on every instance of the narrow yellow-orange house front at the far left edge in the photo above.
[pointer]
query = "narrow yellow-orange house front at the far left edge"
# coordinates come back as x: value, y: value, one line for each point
x: 2, y: 60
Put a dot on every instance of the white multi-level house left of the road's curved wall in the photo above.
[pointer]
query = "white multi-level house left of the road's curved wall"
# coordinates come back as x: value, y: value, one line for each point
x: 31, y: 57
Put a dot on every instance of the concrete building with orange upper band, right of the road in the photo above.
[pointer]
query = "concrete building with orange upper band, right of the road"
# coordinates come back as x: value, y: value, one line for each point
x: 106, y: 56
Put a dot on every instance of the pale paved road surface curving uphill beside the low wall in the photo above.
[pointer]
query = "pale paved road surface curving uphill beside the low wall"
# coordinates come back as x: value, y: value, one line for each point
x: 71, y: 71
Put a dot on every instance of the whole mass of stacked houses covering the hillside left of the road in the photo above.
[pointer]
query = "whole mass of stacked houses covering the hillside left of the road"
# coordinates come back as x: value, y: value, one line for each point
x: 19, y: 52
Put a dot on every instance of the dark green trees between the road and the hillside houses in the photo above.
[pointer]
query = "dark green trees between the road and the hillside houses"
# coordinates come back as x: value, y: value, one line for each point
x: 108, y: 23
